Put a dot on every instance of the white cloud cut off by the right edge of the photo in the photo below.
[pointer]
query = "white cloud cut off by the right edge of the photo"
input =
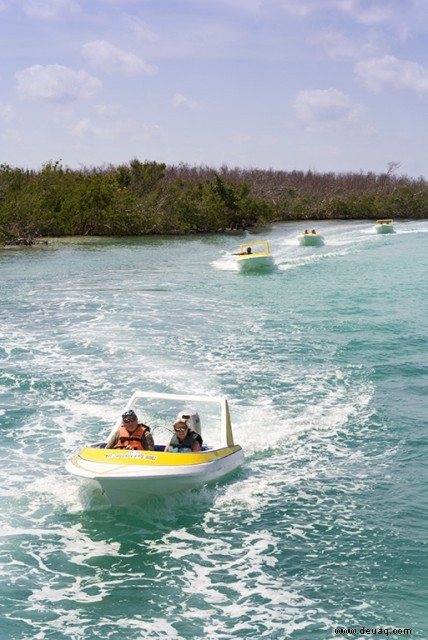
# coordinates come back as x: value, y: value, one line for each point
x: 388, y: 71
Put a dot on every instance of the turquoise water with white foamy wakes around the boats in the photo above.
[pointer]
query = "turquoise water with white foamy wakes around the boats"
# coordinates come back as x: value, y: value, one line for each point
x: 324, y: 362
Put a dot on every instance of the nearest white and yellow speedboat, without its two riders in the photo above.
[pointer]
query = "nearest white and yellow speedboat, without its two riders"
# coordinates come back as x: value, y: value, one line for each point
x: 130, y: 476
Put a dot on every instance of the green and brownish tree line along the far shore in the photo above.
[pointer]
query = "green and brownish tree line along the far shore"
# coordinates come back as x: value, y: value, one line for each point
x: 143, y: 198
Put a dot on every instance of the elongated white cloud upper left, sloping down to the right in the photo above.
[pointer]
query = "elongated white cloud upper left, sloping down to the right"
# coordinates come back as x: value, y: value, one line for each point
x: 104, y: 56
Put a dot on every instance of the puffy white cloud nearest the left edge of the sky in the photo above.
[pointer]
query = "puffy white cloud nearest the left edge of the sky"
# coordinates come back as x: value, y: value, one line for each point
x: 55, y: 83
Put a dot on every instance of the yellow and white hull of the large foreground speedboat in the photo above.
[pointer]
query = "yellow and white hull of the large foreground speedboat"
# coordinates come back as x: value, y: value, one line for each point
x: 130, y: 477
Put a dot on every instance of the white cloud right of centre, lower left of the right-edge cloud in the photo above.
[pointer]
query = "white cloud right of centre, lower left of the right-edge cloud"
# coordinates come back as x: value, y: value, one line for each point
x: 326, y: 106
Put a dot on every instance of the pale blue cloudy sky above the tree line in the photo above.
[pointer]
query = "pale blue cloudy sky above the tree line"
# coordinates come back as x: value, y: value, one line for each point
x: 295, y: 85
